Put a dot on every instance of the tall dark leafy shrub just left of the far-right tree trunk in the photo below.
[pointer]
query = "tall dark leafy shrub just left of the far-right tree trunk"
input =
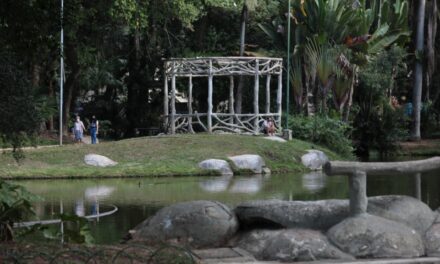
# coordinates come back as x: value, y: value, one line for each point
x: 379, y: 122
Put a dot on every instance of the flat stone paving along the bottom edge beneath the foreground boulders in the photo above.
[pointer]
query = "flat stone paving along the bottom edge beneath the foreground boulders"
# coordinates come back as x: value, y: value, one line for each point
x: 240, y: 256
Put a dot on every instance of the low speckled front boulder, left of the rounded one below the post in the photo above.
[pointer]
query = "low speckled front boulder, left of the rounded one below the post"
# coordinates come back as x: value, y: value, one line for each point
x: 289, y: 245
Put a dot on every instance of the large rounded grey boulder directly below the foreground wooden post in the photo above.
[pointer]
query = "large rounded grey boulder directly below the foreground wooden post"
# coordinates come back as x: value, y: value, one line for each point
x: 368, y: 236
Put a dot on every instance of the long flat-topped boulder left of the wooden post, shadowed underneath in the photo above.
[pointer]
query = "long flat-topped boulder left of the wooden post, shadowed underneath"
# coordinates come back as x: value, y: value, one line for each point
x: 310, y: 214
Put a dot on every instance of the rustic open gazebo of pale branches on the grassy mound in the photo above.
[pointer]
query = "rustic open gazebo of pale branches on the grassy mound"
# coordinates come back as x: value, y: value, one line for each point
x: 209, y: 67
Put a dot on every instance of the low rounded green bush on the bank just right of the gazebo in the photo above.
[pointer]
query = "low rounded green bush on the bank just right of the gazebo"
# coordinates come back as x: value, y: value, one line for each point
x: 324, y: 131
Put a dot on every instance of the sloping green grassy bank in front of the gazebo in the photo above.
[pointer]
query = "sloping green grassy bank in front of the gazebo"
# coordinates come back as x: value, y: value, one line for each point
x: 155, y: 156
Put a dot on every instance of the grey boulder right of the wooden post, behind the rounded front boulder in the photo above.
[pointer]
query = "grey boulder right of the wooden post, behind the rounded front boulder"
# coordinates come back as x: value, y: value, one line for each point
x: 403, y: 209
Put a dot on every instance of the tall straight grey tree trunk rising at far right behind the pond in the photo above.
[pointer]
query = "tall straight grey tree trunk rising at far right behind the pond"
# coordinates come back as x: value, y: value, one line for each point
x: 418, y: 71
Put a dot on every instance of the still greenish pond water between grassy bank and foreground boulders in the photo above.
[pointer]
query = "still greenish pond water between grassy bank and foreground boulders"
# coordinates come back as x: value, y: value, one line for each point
x: 139, y: 198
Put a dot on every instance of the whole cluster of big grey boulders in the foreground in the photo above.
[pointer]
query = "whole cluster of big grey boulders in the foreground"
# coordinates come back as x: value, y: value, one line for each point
x: 393, y: 227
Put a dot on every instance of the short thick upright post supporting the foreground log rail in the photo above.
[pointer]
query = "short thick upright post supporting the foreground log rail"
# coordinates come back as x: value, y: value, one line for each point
x: 358, y: 192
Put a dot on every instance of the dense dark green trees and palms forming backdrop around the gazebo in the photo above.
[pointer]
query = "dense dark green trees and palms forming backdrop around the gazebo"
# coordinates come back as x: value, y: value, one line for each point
x: 114, y: 52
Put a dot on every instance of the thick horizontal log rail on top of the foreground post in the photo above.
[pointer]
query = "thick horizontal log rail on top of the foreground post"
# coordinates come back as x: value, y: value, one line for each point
x: 381, y: 168
